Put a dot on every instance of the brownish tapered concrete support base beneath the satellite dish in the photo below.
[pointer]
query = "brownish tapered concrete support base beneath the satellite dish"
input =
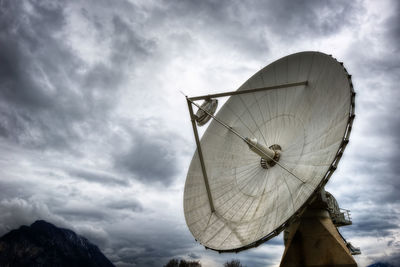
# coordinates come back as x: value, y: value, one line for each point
x: 315, y: 241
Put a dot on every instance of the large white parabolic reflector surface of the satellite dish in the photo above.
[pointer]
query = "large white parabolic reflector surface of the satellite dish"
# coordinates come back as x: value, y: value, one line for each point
x: 310, y: 122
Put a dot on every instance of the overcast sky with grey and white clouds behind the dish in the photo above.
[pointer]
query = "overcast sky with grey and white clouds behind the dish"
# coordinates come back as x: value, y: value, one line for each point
x: 95, y: 135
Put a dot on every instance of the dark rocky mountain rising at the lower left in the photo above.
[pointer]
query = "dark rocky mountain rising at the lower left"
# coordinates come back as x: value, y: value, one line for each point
x: 43, y: 244
